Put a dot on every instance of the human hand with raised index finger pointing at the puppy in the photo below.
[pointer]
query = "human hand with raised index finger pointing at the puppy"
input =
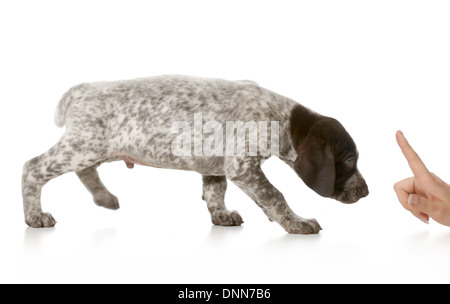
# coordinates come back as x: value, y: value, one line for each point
x: 425, y: 195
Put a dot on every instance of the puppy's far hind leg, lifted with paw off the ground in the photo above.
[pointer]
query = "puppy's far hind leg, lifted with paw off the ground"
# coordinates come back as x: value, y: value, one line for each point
x: 102, y: 197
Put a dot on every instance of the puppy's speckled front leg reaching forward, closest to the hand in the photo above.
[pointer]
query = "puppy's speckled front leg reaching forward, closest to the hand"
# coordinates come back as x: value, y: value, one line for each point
x: 246, y: 173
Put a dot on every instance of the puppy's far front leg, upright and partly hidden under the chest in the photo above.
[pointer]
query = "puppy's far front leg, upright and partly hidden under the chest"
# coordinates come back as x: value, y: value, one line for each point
x: 214, y: 188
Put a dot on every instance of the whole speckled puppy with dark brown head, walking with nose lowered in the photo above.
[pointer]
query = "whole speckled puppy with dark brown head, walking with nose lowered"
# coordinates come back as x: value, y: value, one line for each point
x: 138, y: 121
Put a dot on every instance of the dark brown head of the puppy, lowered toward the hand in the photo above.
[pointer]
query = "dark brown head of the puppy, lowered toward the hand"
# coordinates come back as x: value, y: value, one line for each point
x: 327, y: 157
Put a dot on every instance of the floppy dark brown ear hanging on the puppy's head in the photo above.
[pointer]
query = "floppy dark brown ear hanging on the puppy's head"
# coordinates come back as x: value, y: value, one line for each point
x: 315, y: 165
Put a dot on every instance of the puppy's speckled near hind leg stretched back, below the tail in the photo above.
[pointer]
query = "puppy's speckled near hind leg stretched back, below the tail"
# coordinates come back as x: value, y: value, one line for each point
x: 70, y: 154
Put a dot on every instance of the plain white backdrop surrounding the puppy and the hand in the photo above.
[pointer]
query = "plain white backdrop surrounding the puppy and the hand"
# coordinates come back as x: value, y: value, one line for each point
x: 376, y: 66
